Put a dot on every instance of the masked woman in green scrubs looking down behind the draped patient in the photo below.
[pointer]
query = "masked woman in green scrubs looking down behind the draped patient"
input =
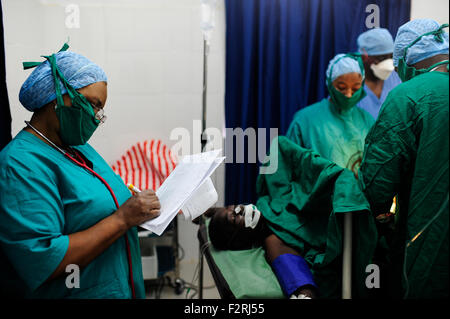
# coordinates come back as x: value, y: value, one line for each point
x: 334, y: 127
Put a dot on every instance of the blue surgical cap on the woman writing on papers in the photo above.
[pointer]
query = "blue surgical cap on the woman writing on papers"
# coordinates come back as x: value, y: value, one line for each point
x: 39, y: 88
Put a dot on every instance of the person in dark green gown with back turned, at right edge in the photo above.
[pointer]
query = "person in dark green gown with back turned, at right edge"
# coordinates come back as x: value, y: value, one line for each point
x: 407, y: 154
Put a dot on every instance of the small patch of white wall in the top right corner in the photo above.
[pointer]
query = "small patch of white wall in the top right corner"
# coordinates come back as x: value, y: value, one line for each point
x: 430, y: 9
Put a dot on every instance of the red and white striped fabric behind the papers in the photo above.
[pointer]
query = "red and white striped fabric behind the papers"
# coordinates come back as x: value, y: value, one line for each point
x: 145, y: 165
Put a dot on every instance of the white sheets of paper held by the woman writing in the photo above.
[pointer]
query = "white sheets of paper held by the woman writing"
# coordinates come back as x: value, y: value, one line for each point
x: 188, y: 188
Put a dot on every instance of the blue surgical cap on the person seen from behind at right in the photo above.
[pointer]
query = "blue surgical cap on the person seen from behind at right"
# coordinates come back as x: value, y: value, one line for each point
x: 425, y: 48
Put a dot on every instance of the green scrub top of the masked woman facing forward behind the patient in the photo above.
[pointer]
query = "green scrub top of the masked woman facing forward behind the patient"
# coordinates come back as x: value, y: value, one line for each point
x: 336, y: 135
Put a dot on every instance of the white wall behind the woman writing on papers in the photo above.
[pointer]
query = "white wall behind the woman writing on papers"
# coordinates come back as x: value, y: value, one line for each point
x: 152, y: 53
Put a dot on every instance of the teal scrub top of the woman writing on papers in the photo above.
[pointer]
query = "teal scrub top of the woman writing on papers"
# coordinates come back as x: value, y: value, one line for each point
x: 45, y: 197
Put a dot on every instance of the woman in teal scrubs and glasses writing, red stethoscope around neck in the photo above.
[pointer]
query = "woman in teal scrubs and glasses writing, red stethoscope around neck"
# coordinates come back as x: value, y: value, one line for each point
x: 60, y: 203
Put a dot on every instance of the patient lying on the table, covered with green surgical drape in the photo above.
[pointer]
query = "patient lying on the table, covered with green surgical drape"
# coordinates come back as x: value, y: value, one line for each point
x: 298, y: 219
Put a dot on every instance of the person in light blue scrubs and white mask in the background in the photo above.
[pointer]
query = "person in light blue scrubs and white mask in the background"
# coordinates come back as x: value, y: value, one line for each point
x: 376, y: 47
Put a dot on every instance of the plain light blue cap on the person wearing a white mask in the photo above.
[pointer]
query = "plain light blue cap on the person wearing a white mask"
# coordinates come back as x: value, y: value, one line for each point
x: 376, y: 41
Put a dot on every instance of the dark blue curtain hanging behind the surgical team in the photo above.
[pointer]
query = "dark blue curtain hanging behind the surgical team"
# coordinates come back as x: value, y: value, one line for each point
x: 277, y: 52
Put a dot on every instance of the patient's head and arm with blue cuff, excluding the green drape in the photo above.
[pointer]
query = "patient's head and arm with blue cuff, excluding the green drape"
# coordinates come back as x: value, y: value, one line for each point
x: 243, y: 227
